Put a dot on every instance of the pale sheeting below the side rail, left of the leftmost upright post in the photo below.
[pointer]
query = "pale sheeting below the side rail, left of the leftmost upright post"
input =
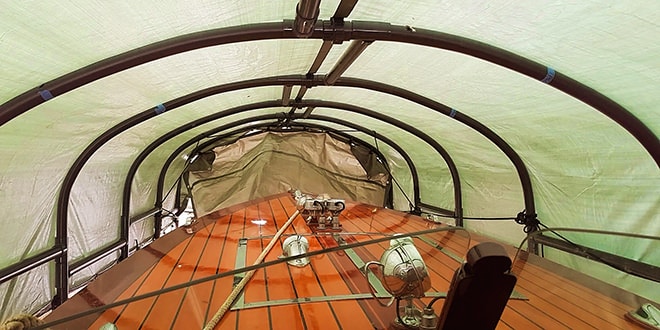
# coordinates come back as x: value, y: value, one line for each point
x: 27, y: 293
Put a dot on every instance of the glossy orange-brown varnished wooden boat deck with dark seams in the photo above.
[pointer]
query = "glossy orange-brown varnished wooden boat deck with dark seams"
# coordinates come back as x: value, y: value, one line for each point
x: 329, y: 293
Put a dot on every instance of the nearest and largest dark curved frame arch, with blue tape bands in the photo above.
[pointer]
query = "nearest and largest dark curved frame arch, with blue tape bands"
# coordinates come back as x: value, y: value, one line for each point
x: 328, y: 30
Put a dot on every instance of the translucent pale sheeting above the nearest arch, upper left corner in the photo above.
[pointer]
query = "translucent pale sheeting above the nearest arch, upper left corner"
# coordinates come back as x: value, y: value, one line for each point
x: 88, y: 31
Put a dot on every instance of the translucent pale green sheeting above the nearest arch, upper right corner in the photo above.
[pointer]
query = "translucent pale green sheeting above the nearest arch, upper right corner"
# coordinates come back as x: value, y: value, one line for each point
x: 576, y: 38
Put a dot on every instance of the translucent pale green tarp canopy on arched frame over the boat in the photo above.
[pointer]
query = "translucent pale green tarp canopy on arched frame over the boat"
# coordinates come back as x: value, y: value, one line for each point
x: 481, y: 110
